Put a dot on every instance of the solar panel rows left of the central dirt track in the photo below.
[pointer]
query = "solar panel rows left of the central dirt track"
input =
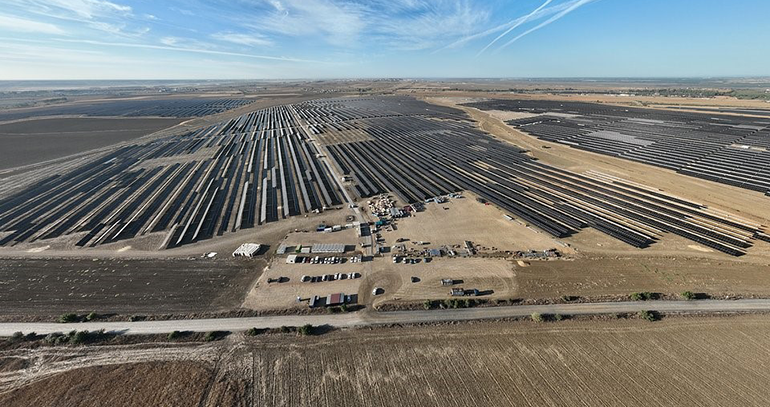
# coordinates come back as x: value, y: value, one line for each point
x: 241, y: 173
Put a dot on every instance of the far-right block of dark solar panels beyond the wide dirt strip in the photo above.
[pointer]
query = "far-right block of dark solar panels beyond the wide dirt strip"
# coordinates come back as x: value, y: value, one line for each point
x: 729, y: 149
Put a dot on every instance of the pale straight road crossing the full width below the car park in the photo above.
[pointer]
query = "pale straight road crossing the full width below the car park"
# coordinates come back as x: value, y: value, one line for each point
x: 396, y: 317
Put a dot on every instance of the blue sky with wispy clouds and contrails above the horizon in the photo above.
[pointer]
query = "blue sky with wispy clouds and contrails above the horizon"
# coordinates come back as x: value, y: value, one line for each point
x: 284, y: 39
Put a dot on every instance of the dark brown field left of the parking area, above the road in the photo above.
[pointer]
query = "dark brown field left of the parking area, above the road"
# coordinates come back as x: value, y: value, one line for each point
x: 127, y: 286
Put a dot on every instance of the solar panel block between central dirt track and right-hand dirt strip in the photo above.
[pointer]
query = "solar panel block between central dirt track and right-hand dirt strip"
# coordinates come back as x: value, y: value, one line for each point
x: 418, y: 156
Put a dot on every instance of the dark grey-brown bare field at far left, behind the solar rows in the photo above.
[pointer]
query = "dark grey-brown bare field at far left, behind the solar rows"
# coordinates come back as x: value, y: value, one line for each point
x: 33, y: 141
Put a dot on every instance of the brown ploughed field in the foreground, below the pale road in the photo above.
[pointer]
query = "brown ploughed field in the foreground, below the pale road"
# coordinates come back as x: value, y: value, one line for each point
x: 714, y: 361
